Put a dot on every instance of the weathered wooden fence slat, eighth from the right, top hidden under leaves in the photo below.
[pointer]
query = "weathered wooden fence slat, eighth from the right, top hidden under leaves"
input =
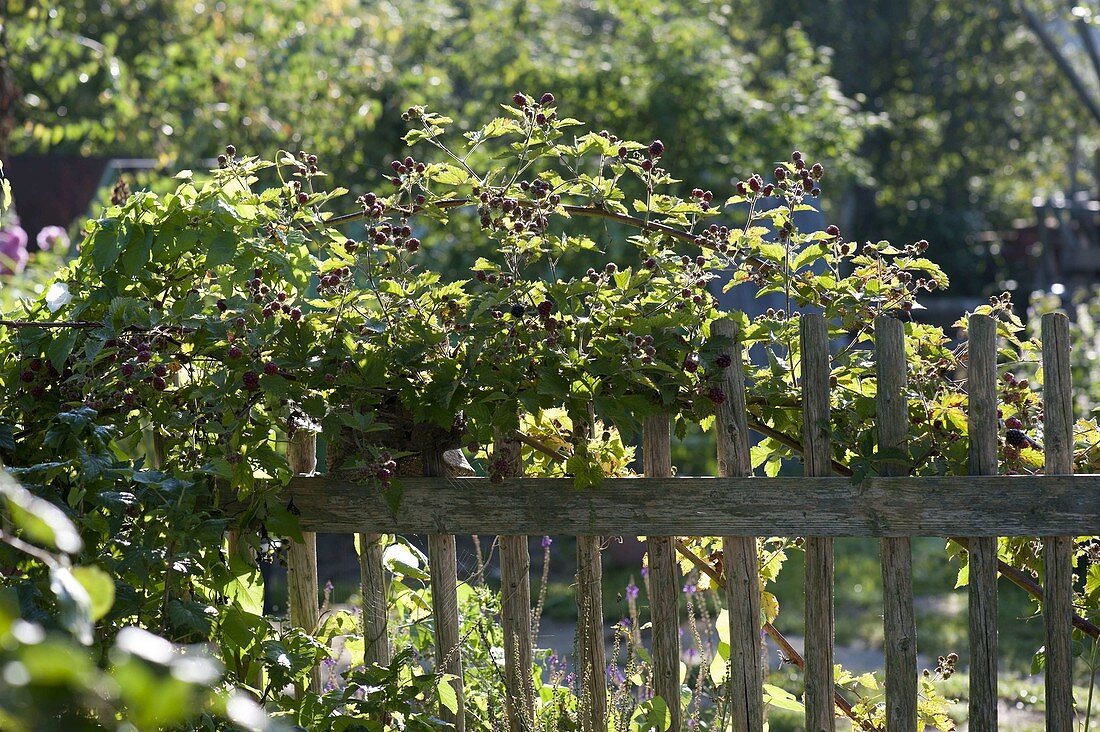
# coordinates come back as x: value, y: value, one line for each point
x: 516, y: 606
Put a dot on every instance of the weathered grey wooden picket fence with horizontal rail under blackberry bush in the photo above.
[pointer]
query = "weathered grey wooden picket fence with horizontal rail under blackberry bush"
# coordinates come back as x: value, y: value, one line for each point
x: 974, y: 510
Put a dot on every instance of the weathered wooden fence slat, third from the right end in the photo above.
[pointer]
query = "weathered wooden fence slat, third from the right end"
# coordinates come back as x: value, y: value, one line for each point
x: 900, y: 638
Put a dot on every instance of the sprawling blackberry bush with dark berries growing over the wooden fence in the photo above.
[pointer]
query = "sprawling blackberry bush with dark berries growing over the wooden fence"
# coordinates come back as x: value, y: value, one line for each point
x: 147, y: 398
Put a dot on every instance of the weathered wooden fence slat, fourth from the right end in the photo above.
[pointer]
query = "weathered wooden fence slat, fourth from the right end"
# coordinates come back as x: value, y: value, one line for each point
x: 821, y: 714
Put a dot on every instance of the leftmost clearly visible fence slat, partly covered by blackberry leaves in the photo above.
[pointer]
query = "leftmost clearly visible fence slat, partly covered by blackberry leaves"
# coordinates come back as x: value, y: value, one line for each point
x: 302, y: 558
